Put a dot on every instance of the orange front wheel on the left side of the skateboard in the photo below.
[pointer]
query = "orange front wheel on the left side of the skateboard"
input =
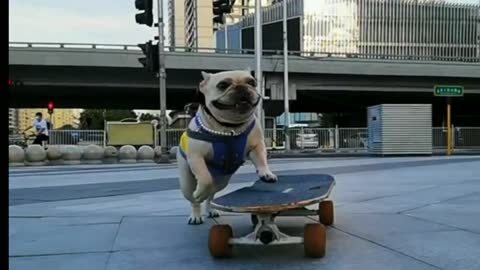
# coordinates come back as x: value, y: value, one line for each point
x: 218, y: 241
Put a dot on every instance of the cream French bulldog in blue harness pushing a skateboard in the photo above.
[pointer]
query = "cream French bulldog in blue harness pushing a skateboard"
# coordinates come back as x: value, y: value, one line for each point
x: 218, y: 139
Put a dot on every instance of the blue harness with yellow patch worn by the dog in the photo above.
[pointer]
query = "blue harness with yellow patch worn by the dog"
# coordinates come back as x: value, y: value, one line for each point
x: 228, y: 151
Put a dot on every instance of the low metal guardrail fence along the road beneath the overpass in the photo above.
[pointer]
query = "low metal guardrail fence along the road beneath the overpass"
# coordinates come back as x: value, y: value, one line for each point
x: 301, y: 138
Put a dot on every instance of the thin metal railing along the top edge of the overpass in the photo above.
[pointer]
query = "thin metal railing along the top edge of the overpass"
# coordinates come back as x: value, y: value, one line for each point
x: 232, y: 51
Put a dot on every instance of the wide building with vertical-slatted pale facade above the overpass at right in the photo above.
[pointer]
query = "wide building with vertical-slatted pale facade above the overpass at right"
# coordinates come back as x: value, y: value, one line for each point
x: 395, y: 29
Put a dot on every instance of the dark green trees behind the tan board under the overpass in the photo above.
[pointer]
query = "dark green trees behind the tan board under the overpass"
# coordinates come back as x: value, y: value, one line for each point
x: 94, y: 118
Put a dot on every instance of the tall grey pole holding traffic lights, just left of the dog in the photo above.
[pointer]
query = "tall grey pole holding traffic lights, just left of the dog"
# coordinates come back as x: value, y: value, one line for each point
x: 162, y: 79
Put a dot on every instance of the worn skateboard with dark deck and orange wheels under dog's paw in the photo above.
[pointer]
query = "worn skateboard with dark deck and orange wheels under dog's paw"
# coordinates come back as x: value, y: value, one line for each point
x: 290, y: 196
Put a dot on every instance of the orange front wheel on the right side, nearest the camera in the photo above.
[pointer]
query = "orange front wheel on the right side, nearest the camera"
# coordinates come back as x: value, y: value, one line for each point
x: 315, y: 240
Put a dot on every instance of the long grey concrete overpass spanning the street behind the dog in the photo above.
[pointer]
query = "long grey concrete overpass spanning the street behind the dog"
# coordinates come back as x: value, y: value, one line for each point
x: 88, y: 75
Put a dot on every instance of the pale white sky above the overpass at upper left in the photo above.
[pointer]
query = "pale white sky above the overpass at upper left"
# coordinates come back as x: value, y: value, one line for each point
x: 78, y: 21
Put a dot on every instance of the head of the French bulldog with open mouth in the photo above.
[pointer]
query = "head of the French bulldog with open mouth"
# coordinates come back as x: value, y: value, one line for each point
x: 230, y: 96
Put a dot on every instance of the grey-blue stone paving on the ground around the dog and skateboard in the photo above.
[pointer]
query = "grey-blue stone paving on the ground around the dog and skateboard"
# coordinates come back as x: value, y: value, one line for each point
x: 392, y: 213
